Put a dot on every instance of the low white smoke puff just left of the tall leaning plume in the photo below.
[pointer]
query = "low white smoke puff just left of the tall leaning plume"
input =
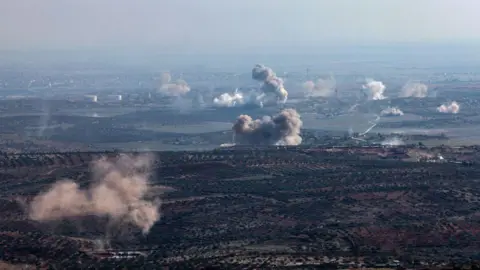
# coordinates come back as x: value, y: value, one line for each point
x: 237, y: 99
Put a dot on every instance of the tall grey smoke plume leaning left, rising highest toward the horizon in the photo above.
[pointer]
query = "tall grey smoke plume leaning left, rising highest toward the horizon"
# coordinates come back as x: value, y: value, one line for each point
x: 271, y: 83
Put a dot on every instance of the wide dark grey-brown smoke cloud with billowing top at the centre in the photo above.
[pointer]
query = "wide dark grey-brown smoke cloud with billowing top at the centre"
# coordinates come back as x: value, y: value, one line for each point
x: 282, y: 129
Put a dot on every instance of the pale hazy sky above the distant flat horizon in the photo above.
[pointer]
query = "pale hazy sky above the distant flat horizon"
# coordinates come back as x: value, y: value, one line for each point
x: 236, y: 25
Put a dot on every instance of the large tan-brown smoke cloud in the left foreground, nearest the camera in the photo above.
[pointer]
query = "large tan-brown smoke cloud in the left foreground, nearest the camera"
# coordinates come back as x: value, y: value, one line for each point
x: 118, y: 193
